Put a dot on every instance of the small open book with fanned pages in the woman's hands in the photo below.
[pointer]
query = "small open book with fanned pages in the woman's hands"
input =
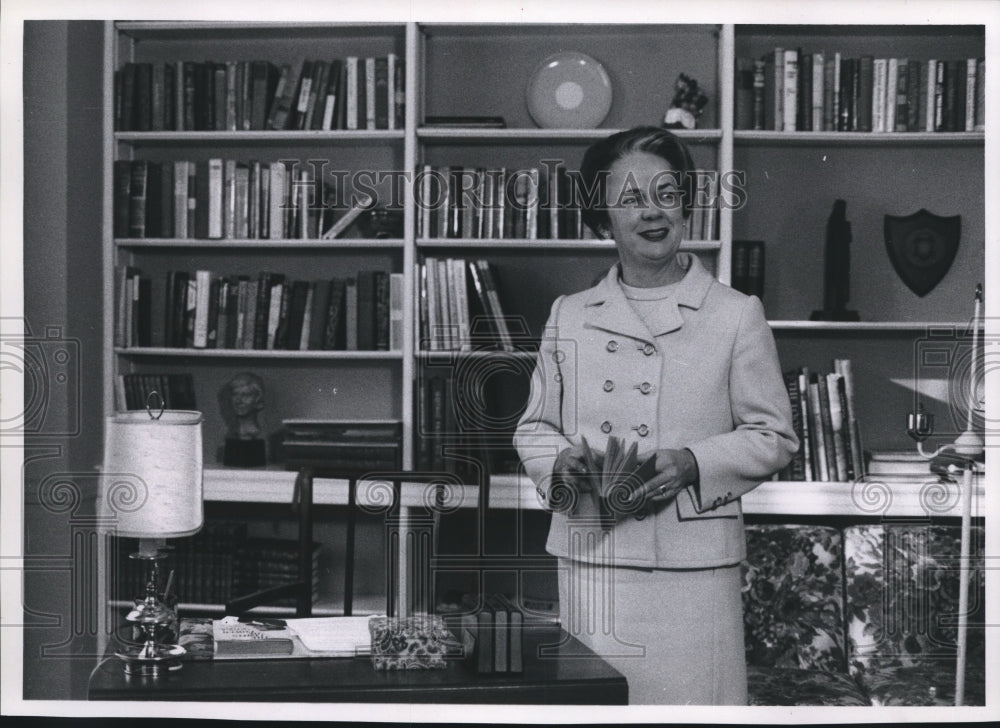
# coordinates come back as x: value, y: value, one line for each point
x: 616, y: 474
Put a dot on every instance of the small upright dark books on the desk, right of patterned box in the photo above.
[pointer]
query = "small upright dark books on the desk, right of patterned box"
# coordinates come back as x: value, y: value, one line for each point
x: 494, y: 637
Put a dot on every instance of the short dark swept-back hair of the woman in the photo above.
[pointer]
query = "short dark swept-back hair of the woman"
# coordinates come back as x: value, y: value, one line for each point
x: 599, y: 157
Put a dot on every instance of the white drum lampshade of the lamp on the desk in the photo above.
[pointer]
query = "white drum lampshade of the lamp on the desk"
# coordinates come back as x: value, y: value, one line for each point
x: 151, y: 481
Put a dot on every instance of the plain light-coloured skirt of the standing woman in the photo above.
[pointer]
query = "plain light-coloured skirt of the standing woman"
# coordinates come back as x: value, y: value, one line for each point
x: 675, y: 634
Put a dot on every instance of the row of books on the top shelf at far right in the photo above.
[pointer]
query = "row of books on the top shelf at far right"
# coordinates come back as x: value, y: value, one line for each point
x: 793, y: 90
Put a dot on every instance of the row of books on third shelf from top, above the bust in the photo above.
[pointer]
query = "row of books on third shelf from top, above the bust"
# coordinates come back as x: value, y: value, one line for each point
x: 207, y: 311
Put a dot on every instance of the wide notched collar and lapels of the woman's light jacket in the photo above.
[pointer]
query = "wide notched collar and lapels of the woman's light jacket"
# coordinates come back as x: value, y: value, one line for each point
x: 608, y: 309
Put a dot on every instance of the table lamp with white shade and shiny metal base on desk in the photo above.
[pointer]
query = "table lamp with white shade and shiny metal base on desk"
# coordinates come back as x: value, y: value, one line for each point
x: 151, y: 489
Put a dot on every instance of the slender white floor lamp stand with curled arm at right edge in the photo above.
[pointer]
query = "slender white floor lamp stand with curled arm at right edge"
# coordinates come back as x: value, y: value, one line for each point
x: 968, y: 447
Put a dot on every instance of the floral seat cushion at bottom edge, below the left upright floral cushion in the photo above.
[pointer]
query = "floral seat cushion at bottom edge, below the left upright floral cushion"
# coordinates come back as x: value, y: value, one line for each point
x: 791, y: 686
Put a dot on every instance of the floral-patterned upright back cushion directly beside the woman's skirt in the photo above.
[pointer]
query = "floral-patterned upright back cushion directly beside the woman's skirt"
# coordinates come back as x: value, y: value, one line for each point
x: 792, y: 597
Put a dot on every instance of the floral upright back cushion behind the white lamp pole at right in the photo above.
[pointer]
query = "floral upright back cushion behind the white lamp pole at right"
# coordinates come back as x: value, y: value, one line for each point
x: 902, y: 586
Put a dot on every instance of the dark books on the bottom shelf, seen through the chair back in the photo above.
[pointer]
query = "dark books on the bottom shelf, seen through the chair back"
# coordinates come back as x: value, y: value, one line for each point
x: 264, y: 563
